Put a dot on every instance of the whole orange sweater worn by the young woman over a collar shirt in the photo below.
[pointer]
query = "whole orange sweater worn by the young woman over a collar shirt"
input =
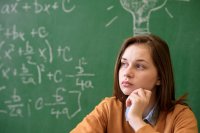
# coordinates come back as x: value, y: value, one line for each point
x: 108, y: 117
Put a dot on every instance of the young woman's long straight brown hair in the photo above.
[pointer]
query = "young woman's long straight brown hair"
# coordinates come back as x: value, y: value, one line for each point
x: 165, y: 92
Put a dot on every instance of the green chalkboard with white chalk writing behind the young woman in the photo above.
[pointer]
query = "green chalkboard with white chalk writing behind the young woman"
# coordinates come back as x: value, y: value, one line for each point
x: 57, y: 57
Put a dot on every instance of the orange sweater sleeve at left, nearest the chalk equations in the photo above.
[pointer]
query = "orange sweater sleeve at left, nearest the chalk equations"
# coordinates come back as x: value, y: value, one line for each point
x: 95, y: 122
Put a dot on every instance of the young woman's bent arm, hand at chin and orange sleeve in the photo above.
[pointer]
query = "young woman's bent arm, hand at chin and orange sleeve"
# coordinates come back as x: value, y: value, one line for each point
x: 180, y: 120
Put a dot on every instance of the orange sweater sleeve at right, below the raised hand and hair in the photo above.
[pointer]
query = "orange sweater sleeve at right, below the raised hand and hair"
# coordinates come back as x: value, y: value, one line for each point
x: 180, y: 120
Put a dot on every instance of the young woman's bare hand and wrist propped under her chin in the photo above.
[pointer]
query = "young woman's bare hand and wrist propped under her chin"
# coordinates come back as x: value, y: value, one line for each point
x: 138, y: 101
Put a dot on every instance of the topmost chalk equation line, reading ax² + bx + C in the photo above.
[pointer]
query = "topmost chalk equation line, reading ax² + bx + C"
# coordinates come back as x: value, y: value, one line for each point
x: 37, y: 7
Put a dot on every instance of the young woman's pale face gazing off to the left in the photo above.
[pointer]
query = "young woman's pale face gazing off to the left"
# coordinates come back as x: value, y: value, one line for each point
x: 137, y: 69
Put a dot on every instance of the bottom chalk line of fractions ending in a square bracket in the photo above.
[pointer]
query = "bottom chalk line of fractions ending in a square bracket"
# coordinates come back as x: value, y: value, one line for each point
x: 16, y: 106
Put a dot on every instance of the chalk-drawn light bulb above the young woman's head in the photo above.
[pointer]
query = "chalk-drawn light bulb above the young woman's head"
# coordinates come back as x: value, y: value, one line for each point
x: 141, y: 10
